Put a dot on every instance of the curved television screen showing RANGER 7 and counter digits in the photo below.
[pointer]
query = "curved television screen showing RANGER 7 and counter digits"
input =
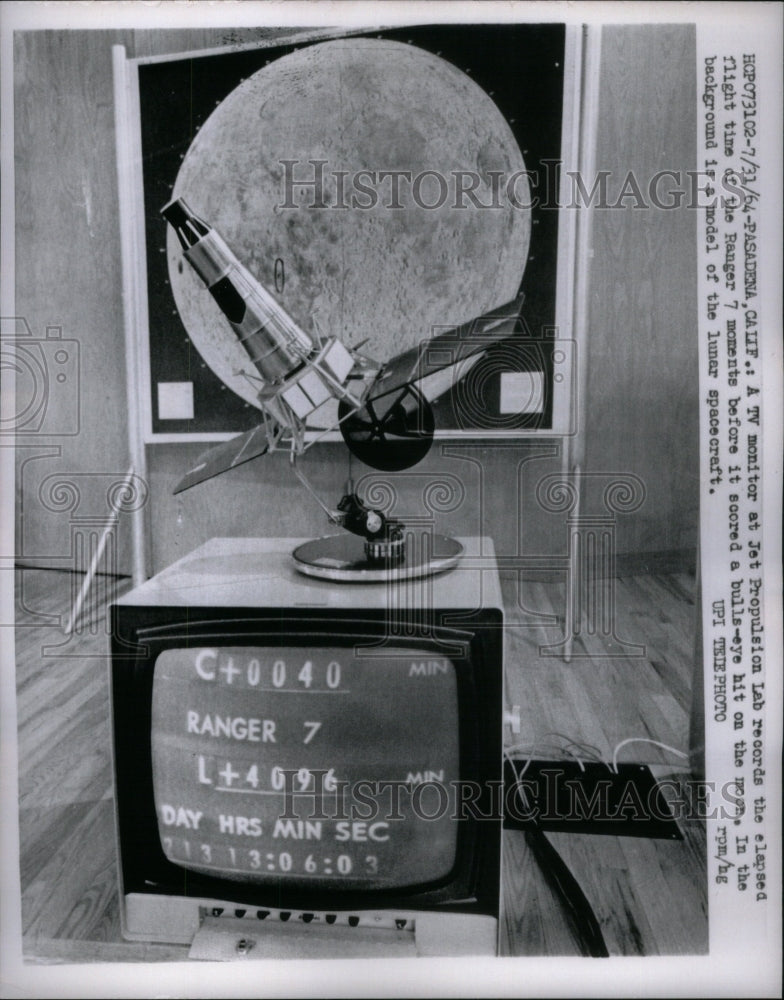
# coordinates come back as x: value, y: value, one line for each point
x: 323, y: 768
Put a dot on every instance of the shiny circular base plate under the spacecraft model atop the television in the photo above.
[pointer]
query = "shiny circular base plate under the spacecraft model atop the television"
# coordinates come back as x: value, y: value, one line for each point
x: 342, y: 558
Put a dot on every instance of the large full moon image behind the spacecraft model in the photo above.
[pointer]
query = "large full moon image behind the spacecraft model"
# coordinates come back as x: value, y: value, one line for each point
x: 385, y: 268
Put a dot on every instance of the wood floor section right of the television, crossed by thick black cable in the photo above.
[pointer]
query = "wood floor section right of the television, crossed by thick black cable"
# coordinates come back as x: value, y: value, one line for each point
x: 649, y: 896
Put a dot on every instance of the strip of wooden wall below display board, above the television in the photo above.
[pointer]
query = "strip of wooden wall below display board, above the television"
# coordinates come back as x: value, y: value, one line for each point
x: 264, y: 498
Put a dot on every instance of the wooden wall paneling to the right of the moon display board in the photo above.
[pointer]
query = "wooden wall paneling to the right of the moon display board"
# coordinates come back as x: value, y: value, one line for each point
x: 642, y: 344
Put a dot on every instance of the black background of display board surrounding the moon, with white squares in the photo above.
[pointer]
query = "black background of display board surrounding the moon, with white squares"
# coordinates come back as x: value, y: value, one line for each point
x: 520, y: 66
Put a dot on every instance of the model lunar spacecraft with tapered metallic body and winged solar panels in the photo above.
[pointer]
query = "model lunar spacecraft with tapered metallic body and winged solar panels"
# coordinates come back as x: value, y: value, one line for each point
x: 384, y: 410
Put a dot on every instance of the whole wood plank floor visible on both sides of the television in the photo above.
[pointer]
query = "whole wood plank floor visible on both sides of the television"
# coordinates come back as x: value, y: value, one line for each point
x: 649, y: 896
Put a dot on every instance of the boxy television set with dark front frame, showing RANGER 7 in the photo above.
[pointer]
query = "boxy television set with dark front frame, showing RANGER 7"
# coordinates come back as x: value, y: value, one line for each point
x: 304, y: 768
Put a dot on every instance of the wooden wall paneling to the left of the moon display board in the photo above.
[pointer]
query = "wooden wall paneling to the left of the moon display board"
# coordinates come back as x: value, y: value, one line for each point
x: 68, y: 272
